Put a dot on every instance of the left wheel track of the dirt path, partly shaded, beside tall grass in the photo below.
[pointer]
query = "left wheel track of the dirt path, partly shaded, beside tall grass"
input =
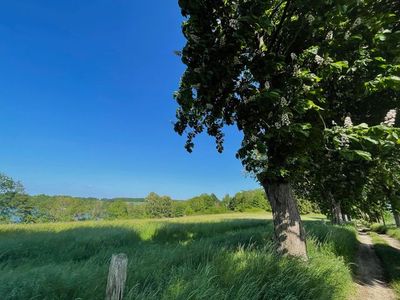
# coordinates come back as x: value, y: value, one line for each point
x: 370, y: 280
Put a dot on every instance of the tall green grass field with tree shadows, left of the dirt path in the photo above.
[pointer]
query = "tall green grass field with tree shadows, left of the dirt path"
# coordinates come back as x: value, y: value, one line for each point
x: 204, y: 257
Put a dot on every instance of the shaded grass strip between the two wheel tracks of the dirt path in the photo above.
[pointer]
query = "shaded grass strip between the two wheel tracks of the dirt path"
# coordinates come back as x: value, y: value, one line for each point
x: 390, y: 258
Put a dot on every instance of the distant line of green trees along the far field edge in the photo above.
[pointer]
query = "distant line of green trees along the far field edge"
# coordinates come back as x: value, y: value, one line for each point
x: 16, y: 206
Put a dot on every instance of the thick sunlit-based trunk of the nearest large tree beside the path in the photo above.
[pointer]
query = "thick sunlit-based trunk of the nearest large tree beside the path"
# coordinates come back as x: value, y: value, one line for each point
x: 289, y: 231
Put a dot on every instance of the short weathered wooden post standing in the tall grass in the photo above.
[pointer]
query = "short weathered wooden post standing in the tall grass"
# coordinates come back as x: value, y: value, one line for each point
x: 117, y: 277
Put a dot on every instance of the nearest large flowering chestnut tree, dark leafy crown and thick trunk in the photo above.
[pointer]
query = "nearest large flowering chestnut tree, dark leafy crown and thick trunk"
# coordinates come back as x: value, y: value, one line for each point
x: 270, y: 68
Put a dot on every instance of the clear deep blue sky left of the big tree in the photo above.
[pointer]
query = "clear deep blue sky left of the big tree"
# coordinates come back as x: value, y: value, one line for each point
x: 86, y: 105
